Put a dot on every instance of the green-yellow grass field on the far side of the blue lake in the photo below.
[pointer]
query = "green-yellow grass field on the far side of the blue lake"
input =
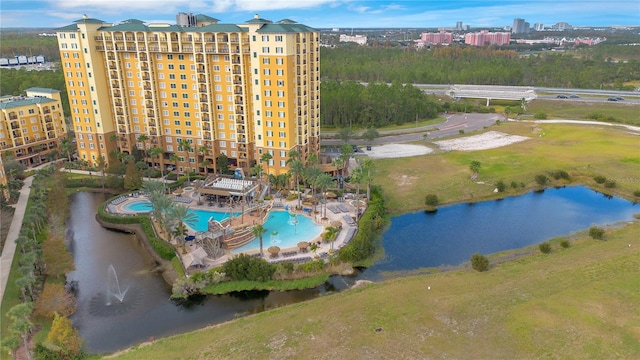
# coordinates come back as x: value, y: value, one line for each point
x: 582, y: 151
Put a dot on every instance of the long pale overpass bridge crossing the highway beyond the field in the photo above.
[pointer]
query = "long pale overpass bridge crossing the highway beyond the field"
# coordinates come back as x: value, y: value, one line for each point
x: 490, y: 92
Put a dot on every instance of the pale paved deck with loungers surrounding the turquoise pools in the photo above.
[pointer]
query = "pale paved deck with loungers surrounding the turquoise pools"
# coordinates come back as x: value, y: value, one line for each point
x: 342, y: 212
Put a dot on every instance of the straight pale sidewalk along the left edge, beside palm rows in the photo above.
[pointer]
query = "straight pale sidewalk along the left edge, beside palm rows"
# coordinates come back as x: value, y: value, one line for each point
x: 14, y: 230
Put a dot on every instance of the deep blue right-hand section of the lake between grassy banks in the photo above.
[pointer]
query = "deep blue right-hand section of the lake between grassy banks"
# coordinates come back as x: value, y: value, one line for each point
x: 452, y: 234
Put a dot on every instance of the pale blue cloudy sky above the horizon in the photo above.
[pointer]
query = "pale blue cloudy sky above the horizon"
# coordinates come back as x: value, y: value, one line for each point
x: 329, y: 13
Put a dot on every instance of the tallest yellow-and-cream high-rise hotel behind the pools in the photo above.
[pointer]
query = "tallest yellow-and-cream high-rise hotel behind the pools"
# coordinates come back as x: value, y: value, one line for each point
x: 239, y: 90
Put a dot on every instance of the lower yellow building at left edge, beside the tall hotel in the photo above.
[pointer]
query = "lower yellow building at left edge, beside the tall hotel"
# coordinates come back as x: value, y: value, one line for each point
x: 32, y: 127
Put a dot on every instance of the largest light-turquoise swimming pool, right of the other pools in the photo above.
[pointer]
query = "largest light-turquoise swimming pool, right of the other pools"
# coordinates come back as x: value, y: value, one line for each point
x: 288, y: 232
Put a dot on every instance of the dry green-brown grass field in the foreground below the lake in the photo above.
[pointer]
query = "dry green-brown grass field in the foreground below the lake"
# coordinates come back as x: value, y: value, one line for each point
x: 580, y: 302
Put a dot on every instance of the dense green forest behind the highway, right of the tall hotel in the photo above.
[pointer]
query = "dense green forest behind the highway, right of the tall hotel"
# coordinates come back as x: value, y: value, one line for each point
x: 480, y: 66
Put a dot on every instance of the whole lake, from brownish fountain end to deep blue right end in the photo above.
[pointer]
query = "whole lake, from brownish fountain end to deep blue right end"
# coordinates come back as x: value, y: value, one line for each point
x: 413, y: 241
